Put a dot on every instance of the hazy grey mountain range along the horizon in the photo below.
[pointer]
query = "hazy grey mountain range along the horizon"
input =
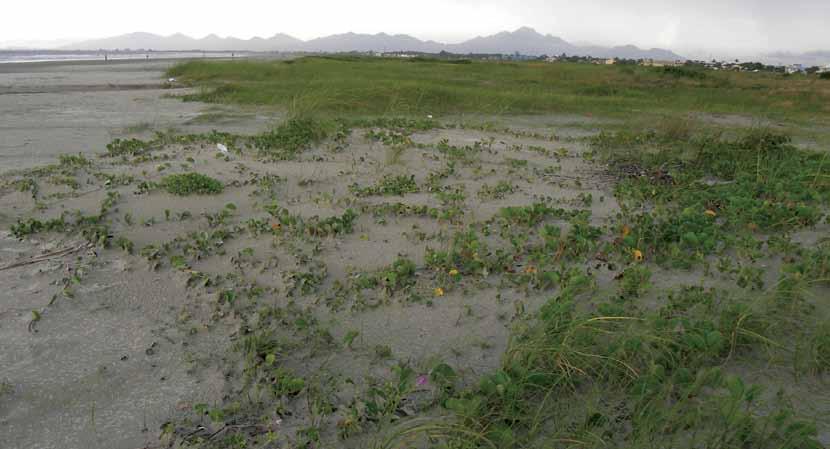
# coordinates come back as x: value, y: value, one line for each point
x: 526, y: 41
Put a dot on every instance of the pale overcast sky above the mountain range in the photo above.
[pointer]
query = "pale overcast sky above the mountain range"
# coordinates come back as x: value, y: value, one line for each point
x: 720, y: 26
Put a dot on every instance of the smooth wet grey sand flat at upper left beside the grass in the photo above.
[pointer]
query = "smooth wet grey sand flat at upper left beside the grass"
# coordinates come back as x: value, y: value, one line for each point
x: 53, y: 108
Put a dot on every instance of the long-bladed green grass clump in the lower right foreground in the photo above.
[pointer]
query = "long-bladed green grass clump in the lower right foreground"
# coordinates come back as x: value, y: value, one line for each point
x: 660, y: 377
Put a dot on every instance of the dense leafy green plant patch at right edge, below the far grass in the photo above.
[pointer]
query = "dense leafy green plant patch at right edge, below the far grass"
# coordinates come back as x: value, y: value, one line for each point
x: 705, y: 187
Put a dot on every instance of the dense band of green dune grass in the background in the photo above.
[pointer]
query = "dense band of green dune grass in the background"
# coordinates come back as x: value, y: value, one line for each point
x: 378, y: 86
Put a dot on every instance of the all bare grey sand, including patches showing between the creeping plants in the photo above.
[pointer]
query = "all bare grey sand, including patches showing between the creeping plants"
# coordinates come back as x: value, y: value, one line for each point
x: 109, y: 368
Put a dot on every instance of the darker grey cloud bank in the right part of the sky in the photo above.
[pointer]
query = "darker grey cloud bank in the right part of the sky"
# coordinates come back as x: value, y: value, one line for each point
x: 726, y: 25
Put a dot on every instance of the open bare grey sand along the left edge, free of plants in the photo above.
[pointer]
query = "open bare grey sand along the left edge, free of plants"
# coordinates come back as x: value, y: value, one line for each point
x: 110, y: 373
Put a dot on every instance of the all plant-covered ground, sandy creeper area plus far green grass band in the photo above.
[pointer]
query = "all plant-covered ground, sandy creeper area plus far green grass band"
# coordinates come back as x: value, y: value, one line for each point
x: 660, y: 286
